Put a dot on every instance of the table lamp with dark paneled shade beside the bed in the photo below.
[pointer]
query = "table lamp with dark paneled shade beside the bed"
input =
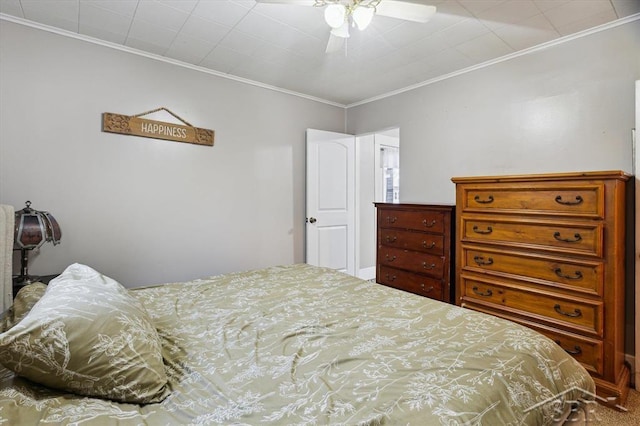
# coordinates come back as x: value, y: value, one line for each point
x: 33, y: 228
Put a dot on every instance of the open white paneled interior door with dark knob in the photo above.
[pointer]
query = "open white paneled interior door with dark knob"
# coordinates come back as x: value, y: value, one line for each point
x: 331, y: 200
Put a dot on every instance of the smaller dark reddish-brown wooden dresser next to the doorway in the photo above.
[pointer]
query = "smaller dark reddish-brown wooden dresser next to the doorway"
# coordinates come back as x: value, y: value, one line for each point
x: 415, y: 248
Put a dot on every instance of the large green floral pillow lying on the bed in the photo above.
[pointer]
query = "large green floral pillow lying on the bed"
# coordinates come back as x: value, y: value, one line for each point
x: 88, y: 336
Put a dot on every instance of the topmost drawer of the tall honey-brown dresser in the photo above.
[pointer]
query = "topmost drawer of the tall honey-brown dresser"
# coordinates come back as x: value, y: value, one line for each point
x: 573, y: 199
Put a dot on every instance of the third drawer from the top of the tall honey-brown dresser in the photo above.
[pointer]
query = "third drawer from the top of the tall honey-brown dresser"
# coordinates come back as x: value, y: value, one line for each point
x: 558, y: 272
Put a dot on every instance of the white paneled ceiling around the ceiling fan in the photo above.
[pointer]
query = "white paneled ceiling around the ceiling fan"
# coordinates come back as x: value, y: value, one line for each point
x: 284, y: 45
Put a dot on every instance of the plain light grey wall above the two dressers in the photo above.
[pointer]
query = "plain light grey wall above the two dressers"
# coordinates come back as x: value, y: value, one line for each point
x: 568, y: 107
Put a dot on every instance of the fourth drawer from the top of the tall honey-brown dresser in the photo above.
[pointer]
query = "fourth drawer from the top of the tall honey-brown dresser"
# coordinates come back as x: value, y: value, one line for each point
x: 581, y: 315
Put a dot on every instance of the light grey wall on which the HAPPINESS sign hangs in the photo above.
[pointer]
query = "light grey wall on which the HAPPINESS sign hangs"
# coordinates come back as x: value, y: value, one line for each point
x: 142, y: 210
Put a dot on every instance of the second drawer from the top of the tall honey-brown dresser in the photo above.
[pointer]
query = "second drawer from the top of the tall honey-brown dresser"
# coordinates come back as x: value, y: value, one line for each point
x: 578, y: 237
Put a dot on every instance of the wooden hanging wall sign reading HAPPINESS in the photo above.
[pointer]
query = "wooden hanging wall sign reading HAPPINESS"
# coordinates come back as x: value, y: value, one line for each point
x: 136, y: 126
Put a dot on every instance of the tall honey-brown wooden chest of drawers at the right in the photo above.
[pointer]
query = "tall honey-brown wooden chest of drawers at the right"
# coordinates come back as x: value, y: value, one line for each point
x: 548, y: 251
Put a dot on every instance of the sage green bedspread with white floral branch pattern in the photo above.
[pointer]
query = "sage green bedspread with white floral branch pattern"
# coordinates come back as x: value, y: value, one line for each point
x: 304, y: 345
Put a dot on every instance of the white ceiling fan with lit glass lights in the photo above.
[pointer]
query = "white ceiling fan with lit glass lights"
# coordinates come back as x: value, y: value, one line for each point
x: 342, y: 14
